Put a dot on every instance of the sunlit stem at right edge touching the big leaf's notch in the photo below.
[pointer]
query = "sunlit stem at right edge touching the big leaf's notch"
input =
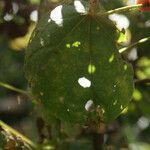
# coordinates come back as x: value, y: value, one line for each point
x: 134, y: 44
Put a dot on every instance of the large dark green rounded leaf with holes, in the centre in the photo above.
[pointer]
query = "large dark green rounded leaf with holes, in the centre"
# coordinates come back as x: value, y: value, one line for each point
x: 72, y: 63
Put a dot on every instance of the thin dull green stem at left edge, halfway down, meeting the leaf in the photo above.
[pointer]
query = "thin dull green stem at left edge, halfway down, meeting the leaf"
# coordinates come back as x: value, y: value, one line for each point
x: 10, y: 87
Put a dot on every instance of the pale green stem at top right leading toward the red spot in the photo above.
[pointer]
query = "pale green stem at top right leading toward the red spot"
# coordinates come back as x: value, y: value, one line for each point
x: 122, y: 9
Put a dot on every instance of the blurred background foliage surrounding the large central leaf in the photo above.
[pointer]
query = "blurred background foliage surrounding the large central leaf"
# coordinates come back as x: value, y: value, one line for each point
x: 129, y: 130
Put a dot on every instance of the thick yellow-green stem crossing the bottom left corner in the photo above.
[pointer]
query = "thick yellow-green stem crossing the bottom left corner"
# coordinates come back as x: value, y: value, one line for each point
x: 17, y: 134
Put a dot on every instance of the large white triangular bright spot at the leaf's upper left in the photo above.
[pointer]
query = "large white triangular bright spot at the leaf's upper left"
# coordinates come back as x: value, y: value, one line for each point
x: 56, y: 15
